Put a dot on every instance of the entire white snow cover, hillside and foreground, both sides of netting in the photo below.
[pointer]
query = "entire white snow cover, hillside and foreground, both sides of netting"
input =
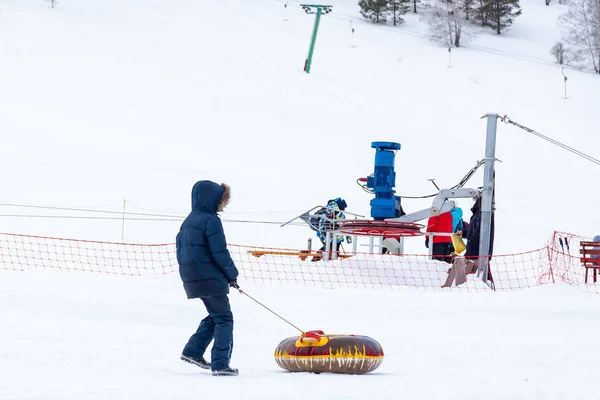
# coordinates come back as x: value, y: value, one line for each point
x: 104, y: 101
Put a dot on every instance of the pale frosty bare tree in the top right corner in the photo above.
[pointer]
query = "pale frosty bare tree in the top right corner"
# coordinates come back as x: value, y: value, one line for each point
x: 582, y: 21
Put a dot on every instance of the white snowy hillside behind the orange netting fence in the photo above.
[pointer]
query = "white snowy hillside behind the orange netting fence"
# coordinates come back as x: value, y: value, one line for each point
x: 104, y: 101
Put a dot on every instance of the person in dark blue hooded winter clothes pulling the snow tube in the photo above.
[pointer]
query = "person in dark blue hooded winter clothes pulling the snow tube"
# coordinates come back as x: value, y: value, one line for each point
x: 207, y: 272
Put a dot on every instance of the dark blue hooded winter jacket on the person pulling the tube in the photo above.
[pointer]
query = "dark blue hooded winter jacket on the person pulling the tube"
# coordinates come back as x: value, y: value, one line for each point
x: 205, y: 265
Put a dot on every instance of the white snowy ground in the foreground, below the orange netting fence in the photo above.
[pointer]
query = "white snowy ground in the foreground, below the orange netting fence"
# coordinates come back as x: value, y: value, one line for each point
x: 79, y: 336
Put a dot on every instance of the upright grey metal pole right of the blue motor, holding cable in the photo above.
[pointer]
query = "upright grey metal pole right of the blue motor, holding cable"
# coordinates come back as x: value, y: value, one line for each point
x: 487, y: 195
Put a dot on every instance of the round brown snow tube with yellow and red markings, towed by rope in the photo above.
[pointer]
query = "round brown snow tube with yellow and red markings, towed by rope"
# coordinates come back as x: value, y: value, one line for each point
x: 317, y: 352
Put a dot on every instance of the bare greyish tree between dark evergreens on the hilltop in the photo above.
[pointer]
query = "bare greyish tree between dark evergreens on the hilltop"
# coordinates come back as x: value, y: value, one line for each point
x: 447, y: 22
